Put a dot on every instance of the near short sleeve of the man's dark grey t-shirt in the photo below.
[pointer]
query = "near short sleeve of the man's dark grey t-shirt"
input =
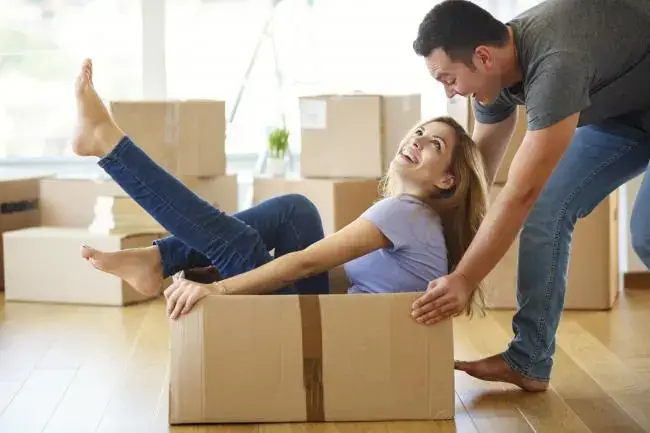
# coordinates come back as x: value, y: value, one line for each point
x: 558, y: 87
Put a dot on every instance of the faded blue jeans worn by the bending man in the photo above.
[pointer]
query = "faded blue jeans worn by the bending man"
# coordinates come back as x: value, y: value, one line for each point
x: 600, y: 159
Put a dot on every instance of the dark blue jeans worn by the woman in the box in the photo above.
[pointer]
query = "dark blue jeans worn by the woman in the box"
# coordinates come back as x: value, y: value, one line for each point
x: 203, y: 235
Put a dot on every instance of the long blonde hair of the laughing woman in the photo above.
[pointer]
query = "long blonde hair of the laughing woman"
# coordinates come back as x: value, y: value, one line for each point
x: 464, y: 206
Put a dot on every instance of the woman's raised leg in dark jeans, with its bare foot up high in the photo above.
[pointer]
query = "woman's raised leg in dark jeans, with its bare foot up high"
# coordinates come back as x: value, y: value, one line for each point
x: 232, y: 246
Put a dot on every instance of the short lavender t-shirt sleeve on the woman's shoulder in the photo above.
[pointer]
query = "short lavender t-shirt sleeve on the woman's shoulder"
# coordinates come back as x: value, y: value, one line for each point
x: 390, y: 216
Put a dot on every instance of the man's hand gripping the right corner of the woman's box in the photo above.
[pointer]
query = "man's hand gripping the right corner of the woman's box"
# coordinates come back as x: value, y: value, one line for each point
x: 446, y: 296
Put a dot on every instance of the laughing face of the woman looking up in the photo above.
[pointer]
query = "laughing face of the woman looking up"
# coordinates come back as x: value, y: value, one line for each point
x: 424, y: 157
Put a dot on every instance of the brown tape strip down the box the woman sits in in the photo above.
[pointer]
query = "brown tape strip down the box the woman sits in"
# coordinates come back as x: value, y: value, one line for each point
x: 312, y: 356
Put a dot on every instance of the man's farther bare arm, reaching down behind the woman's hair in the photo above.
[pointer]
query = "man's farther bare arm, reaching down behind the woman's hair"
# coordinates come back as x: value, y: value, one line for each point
x: 493, y: 139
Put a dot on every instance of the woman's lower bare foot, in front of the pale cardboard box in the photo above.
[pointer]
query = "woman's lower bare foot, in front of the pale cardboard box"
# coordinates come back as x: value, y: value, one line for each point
x: 140, y: 267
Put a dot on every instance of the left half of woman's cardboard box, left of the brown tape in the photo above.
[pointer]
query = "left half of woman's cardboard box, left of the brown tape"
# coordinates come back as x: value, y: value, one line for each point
x: 238, y: 359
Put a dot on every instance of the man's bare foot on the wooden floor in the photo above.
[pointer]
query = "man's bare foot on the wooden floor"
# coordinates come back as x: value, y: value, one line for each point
x: 496, y: 369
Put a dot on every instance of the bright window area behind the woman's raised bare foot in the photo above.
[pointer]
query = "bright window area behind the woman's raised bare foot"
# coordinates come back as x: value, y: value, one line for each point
x: 42, y: 44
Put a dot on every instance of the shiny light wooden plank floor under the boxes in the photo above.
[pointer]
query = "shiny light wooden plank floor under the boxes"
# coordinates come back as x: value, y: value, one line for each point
x: 94, y: 369
